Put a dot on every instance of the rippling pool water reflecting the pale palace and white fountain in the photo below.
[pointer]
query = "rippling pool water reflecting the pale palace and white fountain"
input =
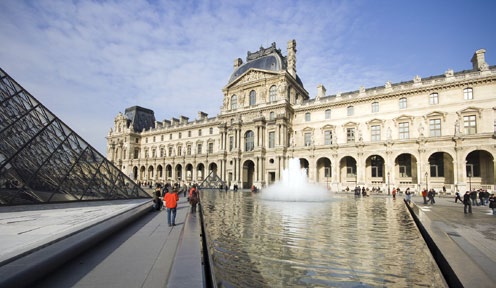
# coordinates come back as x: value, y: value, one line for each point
x: 345, y: 242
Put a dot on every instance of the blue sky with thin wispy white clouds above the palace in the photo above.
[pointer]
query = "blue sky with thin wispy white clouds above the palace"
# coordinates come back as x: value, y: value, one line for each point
x: 86, y: 61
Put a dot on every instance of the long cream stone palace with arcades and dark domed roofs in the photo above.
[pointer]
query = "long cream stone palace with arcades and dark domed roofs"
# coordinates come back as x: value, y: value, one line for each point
x: 430, y: 132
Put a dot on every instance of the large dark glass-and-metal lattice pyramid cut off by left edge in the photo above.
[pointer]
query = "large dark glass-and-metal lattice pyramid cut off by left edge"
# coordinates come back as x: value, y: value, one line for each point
x: 43, y: 160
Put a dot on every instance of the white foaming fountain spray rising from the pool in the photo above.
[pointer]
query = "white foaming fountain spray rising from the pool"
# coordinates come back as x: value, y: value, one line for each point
x: 294, y: 186
